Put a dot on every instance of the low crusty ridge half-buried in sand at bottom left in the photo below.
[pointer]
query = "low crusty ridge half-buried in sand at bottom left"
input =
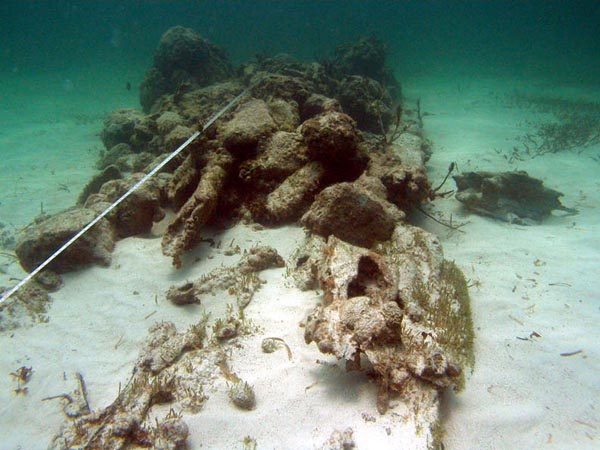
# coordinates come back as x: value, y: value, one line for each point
x: 161, y: 375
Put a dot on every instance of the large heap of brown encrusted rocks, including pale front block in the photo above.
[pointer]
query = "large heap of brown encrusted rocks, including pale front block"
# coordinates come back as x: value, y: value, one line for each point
x: 306, y: 146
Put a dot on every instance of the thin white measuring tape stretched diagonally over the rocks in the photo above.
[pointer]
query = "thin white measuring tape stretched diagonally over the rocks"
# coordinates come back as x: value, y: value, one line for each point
x: 163, y: 163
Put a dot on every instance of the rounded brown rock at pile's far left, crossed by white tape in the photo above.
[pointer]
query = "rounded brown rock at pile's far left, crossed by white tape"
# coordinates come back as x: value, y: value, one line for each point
x: 39, y: 241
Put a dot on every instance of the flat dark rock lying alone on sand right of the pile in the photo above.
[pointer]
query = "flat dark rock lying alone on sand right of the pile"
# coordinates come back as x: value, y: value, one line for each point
x: 513, y: 197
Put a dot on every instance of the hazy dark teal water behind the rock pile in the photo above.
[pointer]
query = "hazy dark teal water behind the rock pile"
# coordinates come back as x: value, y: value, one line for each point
x: 513, y: 37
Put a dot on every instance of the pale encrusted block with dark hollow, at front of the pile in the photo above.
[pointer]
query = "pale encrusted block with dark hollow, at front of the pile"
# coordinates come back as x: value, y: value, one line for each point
x: 395, y: 306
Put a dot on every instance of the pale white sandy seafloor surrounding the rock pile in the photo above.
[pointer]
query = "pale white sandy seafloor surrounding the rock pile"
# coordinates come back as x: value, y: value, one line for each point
x: 543, y: 279
